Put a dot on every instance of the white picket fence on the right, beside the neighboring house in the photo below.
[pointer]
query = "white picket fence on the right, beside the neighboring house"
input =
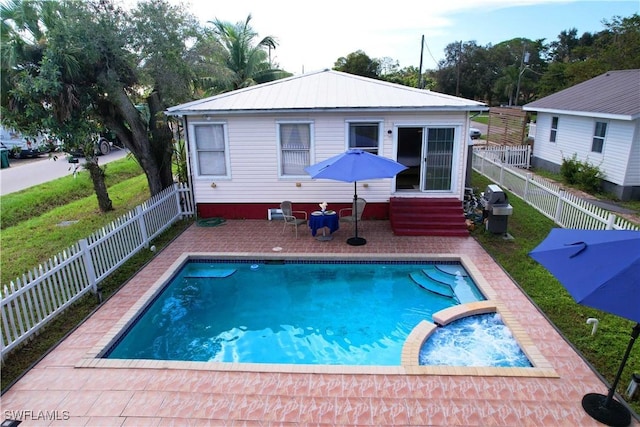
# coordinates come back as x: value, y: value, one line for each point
x: 565, y: 209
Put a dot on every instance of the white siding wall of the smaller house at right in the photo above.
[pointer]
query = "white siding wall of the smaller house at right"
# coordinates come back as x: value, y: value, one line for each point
x: 575, y: 135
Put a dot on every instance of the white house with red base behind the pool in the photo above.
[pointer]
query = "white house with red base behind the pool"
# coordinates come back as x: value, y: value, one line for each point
x: 248, y: 148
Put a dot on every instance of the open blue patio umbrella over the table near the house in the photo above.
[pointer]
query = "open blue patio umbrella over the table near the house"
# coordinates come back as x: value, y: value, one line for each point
x: 353, y: 166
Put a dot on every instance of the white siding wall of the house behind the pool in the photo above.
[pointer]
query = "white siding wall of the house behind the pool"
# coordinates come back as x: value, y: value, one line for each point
x: 253, y: 151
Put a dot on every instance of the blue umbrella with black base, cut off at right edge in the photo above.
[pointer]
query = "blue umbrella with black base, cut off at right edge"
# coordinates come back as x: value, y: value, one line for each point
x: 600, y: 269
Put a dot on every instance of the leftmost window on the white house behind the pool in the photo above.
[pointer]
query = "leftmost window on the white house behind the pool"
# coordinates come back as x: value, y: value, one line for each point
x: 211, y: 149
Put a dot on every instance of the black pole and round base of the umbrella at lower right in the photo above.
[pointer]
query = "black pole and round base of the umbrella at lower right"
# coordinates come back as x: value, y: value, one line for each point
x: 604, y: 408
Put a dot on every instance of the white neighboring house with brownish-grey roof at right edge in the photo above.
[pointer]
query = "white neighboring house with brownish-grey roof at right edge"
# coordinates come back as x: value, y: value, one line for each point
x: 597, y: 120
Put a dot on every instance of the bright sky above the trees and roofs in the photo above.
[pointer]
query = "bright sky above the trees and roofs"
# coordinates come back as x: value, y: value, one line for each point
x: 312, y: 35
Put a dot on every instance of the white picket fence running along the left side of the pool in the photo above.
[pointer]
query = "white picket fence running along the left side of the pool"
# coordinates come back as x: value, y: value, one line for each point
x: 30, y: 302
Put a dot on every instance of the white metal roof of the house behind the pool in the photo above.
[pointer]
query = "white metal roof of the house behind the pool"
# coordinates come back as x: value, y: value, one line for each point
x: 325, y: 90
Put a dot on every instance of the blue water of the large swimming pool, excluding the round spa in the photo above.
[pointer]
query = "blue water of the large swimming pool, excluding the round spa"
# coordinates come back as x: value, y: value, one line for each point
x: 300, y: 313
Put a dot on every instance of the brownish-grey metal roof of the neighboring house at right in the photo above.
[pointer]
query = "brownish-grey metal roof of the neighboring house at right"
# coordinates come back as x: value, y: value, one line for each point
x: 615, y: 94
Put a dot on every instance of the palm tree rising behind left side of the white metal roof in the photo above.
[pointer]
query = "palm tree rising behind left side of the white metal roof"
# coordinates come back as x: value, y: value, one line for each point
x: 246, y: 62
